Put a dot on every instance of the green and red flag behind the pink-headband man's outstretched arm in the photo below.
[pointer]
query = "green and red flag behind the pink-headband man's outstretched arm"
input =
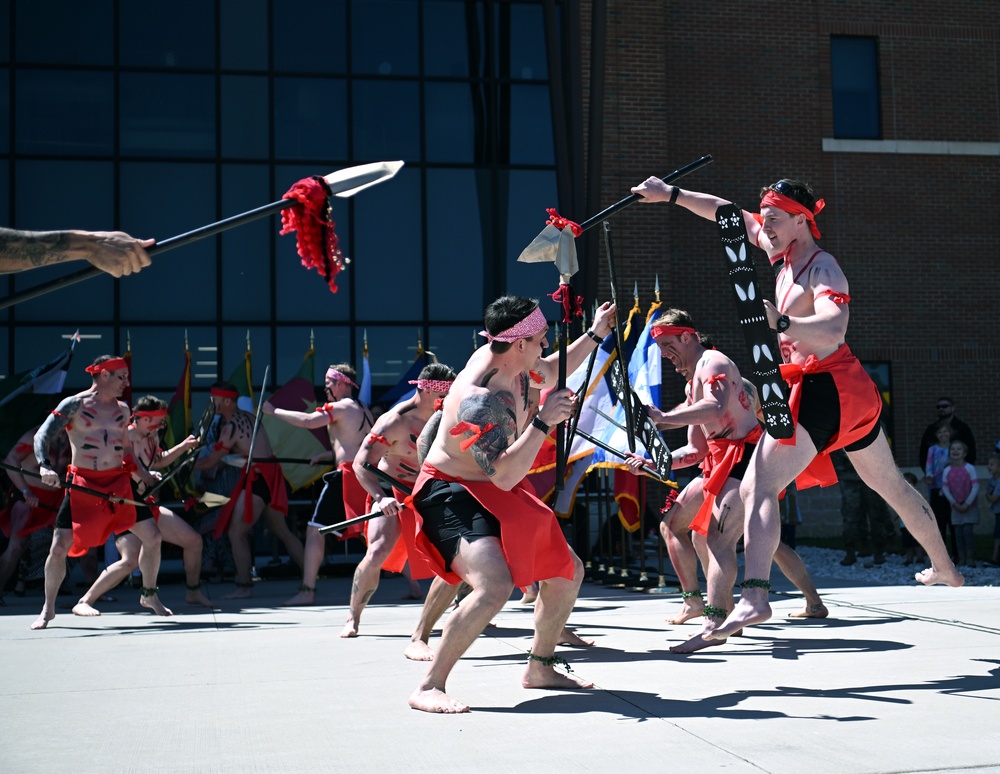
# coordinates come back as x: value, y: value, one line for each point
x: 297, y: 394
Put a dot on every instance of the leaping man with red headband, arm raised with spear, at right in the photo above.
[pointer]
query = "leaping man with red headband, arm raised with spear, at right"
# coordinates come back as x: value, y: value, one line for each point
x: 833, y: 401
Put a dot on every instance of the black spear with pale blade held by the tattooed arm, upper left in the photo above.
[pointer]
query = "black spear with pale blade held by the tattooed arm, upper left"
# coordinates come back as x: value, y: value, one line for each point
x: 343, y: 184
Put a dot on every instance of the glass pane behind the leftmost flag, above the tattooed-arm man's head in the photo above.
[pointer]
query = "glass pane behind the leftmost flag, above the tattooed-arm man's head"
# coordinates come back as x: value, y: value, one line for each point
x: 37, y: 344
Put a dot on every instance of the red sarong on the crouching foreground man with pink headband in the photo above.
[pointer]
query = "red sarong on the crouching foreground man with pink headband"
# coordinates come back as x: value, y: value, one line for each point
x: 533, y: 544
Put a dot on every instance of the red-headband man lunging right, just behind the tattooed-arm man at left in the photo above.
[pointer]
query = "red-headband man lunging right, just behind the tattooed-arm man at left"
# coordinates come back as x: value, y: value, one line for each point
x: 147, y: 419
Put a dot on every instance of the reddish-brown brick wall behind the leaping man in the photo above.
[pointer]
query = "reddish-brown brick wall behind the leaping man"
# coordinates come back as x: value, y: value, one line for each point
x: 915, y: 234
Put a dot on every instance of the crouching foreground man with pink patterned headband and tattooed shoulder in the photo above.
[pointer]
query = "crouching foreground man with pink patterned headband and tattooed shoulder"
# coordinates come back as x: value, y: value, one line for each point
x: 479, y: 520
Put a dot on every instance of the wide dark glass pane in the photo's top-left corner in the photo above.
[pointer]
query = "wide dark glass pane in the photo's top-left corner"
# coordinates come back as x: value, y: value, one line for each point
x: 64, y: 32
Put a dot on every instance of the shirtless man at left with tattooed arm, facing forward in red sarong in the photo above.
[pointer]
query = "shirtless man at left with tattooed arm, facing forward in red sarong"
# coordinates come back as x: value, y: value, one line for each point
x: 101, y: 458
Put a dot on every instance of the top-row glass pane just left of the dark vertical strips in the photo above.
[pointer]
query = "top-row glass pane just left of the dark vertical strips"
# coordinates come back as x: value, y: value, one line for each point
x: 446, y: 38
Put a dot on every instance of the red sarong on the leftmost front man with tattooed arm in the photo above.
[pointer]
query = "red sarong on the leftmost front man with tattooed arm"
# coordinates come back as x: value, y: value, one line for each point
x: 94, y: 518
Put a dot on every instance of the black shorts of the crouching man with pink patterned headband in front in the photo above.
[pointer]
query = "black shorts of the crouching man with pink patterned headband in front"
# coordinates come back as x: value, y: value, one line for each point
x: 451, y: 514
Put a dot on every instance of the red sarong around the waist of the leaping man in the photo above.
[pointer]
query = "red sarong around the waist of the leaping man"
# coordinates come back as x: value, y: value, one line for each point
x: 860, y: 408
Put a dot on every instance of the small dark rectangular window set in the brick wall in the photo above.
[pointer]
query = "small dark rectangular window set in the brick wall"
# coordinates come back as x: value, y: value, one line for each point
x: 854, y: 73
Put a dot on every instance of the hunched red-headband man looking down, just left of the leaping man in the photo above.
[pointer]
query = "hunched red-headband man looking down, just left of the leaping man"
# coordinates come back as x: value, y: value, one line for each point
x: 723, y: 428
